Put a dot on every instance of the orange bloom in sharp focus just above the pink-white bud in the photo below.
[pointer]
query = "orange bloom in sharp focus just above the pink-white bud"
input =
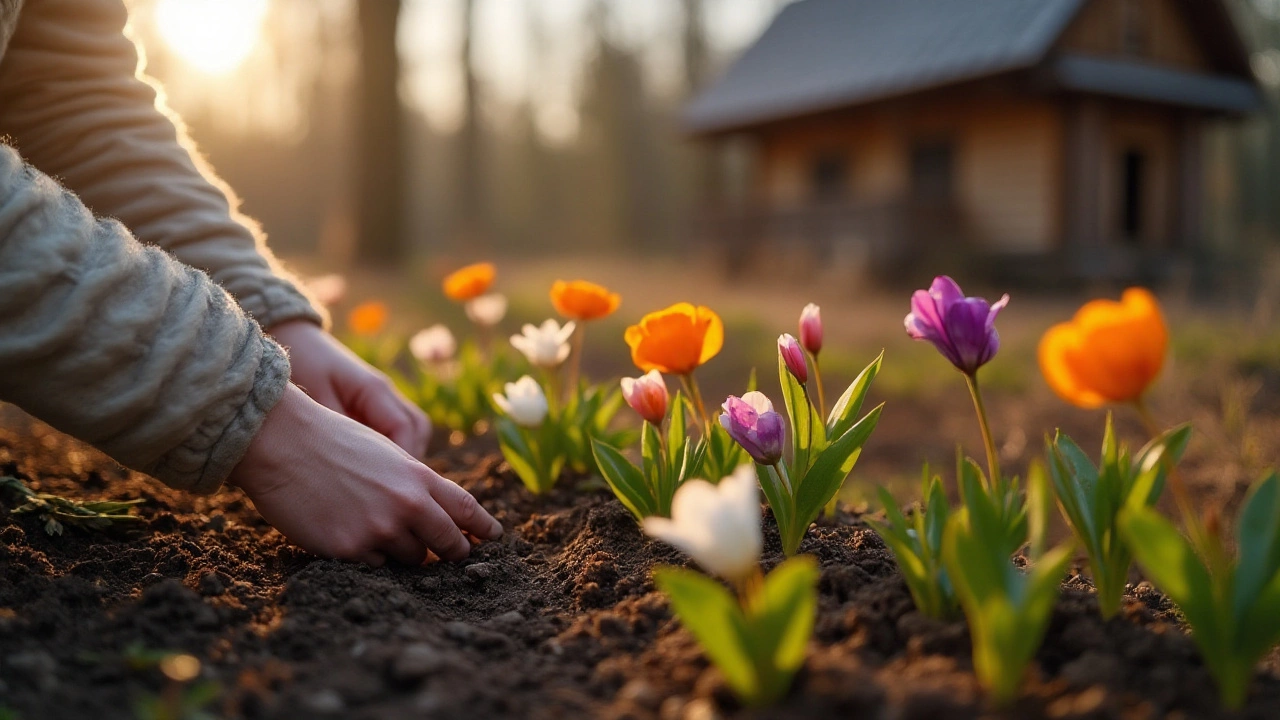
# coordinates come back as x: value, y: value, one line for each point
x: 676, y: 340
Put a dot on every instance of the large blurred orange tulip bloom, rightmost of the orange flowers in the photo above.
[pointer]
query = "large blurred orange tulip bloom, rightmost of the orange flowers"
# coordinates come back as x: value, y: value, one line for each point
x: 1109, y: 353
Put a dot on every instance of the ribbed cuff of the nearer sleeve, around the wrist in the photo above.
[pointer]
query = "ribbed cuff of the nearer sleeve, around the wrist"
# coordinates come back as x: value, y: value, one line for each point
x: 204, y: 462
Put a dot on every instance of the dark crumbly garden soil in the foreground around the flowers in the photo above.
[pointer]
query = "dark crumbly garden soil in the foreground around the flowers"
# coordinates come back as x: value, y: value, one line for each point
x: 559, y: 619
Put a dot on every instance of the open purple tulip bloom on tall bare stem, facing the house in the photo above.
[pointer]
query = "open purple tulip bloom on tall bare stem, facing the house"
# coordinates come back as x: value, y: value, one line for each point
x: 962, y: 329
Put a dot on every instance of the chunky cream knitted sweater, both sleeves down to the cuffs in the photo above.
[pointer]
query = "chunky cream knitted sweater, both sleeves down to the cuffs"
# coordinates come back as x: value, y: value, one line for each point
x: 143, y: 334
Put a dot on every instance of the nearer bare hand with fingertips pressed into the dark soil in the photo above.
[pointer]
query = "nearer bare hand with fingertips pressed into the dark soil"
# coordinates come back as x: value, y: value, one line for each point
x: 340, y: 490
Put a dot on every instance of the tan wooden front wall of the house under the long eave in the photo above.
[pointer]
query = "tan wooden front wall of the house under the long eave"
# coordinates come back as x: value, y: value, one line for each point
x: 1007, y: 154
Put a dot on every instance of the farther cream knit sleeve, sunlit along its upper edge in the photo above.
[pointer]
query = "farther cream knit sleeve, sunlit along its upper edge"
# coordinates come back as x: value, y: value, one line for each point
x: 72, y: 102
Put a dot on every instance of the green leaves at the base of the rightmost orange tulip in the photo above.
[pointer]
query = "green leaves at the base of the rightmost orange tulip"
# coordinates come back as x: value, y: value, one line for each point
x: 1091, y: 499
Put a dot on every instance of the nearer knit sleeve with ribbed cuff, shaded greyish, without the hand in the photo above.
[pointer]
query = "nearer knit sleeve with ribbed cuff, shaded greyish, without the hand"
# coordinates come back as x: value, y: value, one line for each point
x: 121, y: 345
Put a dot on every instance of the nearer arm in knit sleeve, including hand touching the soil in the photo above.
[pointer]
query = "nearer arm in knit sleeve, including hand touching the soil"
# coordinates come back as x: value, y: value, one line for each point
x: 122, y: 347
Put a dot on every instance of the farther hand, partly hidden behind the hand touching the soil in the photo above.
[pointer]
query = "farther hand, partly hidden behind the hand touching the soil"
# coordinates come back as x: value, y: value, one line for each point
x: 342, y: 382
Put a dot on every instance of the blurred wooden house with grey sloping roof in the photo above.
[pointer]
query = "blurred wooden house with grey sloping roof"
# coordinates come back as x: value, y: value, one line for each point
x: 1066, y: 136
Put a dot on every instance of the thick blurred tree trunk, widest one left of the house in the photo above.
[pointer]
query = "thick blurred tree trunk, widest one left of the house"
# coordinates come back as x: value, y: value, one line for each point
x: 381, y: 144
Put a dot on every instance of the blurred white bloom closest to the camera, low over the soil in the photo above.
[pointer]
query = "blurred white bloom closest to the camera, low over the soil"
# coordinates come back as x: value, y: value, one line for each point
x: 717, y: 526
